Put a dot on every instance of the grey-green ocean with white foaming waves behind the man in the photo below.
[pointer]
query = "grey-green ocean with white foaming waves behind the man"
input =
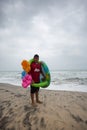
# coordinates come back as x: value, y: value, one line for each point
x: 64, y: 80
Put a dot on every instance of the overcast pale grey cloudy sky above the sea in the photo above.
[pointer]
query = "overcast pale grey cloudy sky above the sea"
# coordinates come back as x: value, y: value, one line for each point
x: 54, y: 29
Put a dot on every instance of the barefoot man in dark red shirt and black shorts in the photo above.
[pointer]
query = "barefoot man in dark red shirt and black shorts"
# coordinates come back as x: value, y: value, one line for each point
x: 35, y: 72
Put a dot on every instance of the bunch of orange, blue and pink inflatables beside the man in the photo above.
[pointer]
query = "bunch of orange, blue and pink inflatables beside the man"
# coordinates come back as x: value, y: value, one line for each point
x: 26, y: 78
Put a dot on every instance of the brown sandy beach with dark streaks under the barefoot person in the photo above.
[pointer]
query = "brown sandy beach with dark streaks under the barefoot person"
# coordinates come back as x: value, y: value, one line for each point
x: 60, y: 110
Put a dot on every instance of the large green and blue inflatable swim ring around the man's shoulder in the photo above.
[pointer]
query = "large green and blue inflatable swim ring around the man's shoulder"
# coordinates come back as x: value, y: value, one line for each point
x: 43, y: 83
